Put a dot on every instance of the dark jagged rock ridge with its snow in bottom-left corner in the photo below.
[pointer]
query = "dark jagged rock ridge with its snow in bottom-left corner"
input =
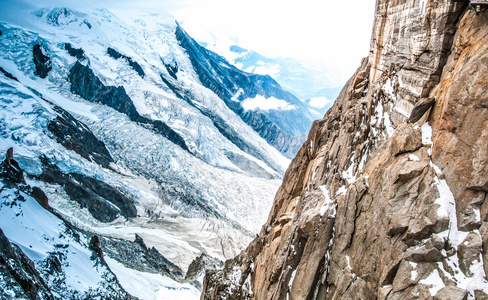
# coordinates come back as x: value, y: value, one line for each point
x: 43, y: 275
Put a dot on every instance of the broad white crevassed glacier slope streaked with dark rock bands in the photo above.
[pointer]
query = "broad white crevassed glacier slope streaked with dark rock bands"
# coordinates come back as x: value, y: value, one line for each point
x: 209, y: 198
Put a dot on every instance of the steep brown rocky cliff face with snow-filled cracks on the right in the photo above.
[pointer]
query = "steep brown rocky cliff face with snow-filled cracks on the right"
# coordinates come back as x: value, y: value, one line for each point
x: 387, y: 197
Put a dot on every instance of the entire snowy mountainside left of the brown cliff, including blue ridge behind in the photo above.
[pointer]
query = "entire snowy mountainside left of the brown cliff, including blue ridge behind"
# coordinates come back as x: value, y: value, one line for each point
x: 133, y: 131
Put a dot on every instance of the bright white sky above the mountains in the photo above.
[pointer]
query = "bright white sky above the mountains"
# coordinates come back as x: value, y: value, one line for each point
x: 333, y: 34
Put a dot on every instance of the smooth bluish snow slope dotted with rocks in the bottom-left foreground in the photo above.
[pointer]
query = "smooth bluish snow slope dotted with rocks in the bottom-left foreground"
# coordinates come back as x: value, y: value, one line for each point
x: 44, y: 239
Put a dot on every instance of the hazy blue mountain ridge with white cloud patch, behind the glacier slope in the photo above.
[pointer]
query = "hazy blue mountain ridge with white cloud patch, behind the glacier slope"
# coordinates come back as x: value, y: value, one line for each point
x: 277, y: 115
